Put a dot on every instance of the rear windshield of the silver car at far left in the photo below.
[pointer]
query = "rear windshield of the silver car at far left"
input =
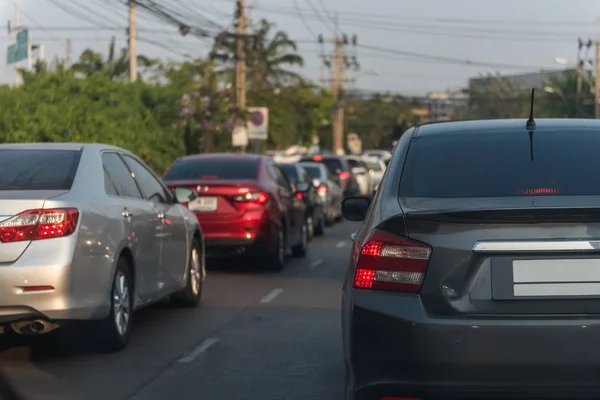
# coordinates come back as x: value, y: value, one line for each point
x: 38, y: 169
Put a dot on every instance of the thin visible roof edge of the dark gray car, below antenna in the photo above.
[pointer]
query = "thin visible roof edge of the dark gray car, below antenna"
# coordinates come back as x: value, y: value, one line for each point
x: 494, y: 125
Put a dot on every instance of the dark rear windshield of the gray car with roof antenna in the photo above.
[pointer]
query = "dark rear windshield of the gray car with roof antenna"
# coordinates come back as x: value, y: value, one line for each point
x: 501, y: 165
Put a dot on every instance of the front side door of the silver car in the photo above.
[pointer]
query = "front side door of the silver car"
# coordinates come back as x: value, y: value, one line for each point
x: 171, y: 231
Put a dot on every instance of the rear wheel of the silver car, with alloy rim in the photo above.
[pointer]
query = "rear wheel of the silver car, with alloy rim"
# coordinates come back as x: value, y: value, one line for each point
x: 115, y: 330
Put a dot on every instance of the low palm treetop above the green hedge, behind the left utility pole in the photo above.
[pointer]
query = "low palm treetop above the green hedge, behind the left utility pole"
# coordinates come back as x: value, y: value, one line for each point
x: 91, y: 62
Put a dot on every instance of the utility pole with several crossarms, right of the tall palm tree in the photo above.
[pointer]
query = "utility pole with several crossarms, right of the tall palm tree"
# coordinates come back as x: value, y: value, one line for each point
x: 338, y: 62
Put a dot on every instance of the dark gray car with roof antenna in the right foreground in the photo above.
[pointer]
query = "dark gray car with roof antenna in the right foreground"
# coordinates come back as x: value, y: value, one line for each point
x: 476, y: 272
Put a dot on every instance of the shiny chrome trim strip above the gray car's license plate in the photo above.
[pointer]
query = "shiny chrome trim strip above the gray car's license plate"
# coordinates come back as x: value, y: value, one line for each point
x: 541, y: 245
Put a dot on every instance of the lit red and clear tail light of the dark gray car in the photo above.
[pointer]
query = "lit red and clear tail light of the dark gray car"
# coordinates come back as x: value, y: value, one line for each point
x: 390, y: 262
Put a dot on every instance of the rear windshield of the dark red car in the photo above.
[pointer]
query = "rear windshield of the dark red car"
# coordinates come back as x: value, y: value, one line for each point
x: 212, y: 169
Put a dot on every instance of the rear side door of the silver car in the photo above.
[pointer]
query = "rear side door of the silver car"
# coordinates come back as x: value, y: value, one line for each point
x: 139, y: 224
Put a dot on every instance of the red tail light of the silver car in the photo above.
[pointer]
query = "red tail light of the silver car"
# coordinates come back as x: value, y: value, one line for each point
x: 39, y: 224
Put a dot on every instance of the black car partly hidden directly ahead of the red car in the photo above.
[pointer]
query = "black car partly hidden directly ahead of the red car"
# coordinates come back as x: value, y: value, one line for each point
x: 302, y: 182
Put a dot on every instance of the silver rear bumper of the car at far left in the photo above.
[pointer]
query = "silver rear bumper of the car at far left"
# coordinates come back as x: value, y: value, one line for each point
x: 81, y: 284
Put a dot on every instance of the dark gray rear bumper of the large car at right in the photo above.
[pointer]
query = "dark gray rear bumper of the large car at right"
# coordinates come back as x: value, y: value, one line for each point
x: 393, y: 348
